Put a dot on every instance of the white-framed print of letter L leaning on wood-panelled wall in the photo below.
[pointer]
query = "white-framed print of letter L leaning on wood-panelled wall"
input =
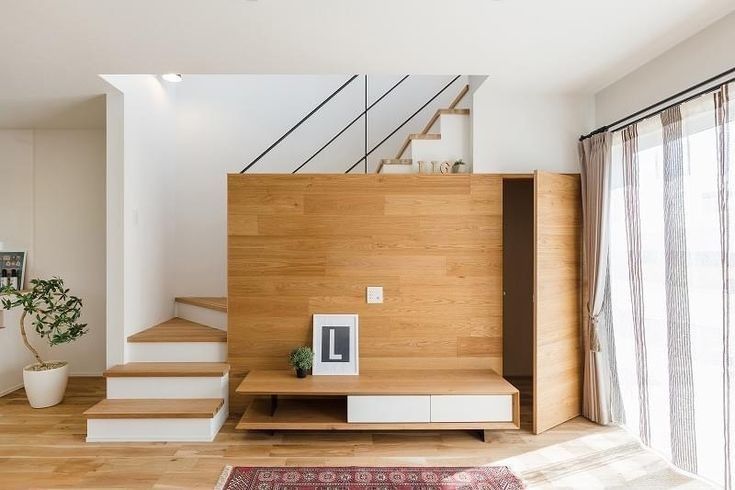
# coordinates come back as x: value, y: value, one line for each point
x: 336, y: 349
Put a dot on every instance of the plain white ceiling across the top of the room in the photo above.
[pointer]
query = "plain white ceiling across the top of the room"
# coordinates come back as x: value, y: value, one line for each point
x: 52, y: 51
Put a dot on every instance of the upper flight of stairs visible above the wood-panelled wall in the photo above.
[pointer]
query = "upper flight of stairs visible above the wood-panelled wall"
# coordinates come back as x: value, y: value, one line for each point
x: 450, y: 144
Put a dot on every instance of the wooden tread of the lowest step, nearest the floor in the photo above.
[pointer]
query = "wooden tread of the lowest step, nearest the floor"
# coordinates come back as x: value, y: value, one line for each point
x: 156, y: 408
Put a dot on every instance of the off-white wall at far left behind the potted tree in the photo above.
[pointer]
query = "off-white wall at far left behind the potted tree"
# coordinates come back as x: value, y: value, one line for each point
x: 55, y: 210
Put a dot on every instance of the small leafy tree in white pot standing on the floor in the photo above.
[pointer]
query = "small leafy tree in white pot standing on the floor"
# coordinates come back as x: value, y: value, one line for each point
x: 54, y: 315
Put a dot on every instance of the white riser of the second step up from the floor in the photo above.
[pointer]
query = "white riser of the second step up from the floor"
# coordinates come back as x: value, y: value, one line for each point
x: 168, y: 387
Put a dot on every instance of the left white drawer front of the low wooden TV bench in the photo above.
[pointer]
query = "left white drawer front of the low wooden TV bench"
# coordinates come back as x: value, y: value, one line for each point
x: 373, y: 409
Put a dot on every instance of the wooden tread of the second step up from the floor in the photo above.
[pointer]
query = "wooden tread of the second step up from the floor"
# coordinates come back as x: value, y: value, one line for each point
x: 168, y: 369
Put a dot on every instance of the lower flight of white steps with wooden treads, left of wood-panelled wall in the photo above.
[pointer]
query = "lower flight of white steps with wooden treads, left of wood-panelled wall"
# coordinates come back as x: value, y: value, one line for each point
x: 175, y: 385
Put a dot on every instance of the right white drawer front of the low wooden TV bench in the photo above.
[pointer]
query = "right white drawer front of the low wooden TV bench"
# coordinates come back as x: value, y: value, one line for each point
x: 471, y: 408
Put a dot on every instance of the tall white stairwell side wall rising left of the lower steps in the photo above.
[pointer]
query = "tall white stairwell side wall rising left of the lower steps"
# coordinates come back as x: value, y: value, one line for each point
x: 147, y: 147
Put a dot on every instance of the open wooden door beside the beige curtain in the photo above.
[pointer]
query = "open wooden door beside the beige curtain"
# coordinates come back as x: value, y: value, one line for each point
x: 557, y: 361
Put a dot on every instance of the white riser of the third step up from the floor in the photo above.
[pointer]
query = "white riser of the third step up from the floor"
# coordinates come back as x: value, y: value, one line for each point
x: 177, y: 352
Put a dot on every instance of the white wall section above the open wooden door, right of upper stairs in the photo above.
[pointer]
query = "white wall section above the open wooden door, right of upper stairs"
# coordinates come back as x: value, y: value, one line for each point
x: 515, y: 131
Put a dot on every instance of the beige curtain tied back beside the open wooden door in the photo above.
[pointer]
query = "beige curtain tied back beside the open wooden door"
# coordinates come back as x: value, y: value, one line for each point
x: 595, y: 159
